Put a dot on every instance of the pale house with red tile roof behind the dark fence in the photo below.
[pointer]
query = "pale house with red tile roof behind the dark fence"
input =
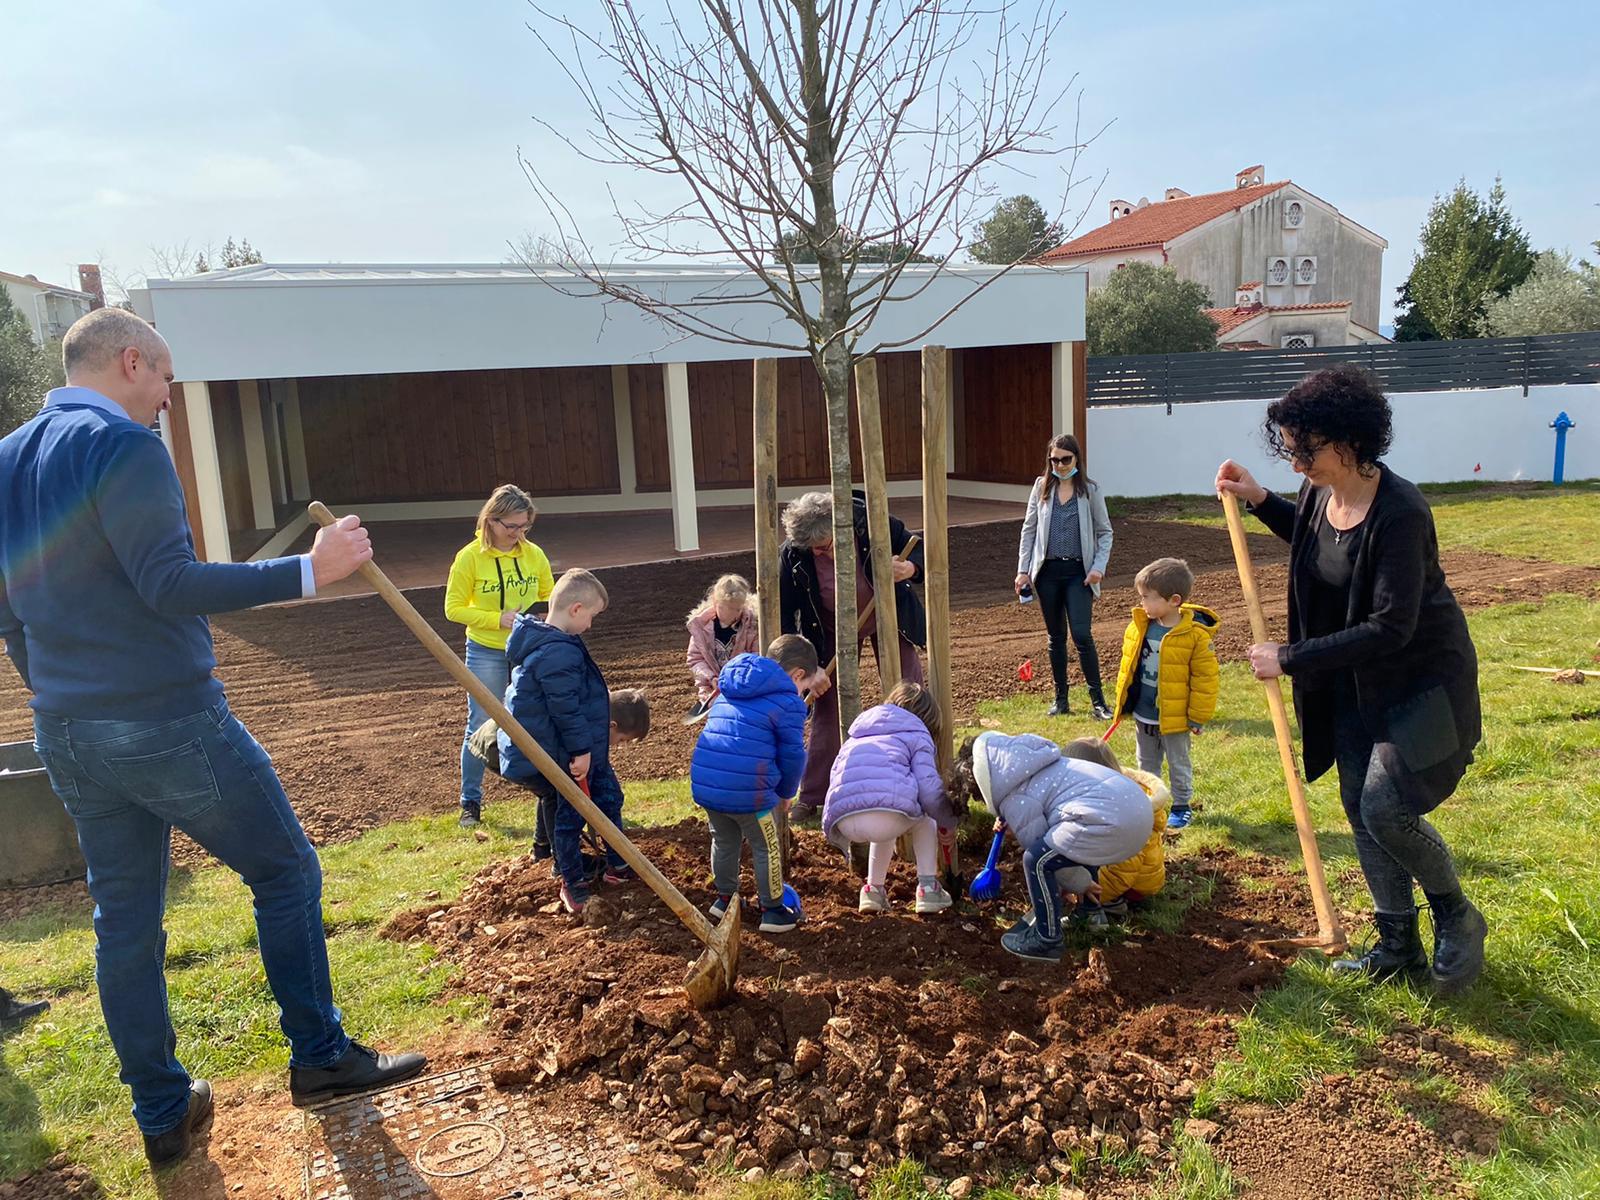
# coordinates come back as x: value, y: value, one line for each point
x: 1281, y: 254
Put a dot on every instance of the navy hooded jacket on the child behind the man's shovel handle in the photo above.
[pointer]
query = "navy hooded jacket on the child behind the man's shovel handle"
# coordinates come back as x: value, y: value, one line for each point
x: 558, y: 695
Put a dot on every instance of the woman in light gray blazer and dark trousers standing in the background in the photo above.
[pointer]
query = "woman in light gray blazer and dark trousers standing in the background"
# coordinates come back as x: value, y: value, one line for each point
x: 1066, y: 545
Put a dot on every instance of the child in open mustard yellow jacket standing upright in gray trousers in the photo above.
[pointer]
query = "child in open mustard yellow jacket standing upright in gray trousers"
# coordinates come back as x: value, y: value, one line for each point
x: 1169, y: 678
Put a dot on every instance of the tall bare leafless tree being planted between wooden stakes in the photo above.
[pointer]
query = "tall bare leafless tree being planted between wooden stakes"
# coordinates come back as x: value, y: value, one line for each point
x: 806, y: 137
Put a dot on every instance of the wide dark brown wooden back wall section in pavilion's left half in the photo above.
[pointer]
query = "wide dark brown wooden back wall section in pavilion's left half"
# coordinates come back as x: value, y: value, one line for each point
x: 460, y: 434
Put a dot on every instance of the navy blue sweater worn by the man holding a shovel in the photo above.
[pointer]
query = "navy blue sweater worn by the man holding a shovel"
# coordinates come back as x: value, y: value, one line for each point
x: 102, y: 601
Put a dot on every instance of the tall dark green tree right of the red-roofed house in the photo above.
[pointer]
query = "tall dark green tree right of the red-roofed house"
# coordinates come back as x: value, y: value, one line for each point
x: 1473, y: 254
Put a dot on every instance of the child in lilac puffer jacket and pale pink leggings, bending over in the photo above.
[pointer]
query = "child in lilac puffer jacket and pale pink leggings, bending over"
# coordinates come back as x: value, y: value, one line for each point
x: 886, y: 783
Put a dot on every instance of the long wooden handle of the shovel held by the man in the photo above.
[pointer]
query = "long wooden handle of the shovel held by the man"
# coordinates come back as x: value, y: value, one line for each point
x: 502, y: 716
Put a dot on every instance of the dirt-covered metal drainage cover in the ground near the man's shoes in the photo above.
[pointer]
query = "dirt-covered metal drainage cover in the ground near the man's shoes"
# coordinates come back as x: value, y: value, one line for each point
x: 458, y: 1137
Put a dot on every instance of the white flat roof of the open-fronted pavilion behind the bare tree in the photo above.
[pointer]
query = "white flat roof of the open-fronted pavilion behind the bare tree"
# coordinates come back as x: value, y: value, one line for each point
x: 327, y: 319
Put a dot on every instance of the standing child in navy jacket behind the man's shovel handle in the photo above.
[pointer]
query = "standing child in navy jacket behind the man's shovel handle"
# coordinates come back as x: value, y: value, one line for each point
x: 559, y: 695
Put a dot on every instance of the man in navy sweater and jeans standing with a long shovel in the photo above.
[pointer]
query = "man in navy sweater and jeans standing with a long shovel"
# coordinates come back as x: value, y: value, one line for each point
x: 103, y: 612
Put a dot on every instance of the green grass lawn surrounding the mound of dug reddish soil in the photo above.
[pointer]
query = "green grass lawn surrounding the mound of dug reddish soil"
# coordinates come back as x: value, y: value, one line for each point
x: 1521, y: 828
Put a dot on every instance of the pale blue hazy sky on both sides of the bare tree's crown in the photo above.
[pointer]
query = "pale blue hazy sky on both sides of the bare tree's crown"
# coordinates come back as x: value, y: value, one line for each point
x: 367, y: 132
